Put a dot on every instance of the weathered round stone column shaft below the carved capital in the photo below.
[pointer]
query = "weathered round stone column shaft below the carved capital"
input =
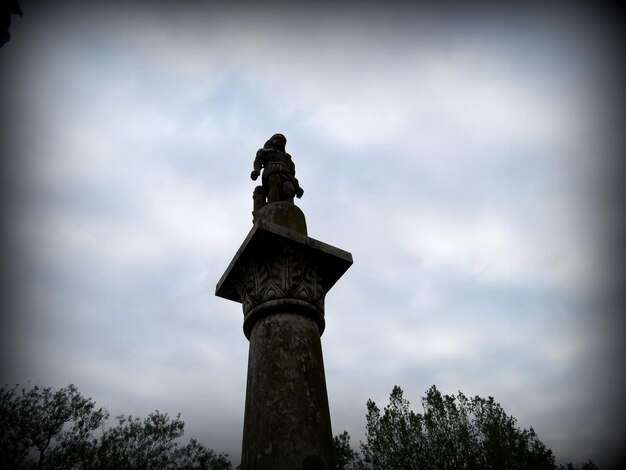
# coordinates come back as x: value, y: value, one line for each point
x: 287, y: 421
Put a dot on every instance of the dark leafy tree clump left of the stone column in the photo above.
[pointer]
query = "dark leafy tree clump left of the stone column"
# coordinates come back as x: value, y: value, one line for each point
x: 56, y: 430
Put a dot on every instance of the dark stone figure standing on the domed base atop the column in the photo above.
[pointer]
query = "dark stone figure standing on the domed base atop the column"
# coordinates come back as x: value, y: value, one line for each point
x: 279, y: 182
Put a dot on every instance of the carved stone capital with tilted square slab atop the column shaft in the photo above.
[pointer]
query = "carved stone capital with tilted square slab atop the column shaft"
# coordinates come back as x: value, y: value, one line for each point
x: 280, y: 270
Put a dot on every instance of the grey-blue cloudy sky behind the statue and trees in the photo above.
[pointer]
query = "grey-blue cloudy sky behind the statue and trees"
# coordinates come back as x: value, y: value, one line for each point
x: 464, y: 158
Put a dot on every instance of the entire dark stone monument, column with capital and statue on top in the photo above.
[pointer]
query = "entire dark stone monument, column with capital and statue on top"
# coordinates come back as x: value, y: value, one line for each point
x: 281, y: 277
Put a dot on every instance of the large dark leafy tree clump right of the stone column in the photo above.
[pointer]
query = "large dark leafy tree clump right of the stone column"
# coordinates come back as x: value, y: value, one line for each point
x: 452, y: 433
